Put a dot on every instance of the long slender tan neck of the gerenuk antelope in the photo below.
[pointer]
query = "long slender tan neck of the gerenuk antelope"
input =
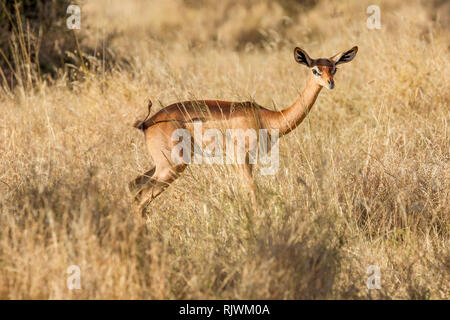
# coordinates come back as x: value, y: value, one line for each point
x: 288, y: 119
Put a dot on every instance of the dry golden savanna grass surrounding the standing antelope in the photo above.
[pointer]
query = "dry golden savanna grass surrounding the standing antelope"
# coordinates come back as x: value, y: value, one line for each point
x: 363, y: 181
